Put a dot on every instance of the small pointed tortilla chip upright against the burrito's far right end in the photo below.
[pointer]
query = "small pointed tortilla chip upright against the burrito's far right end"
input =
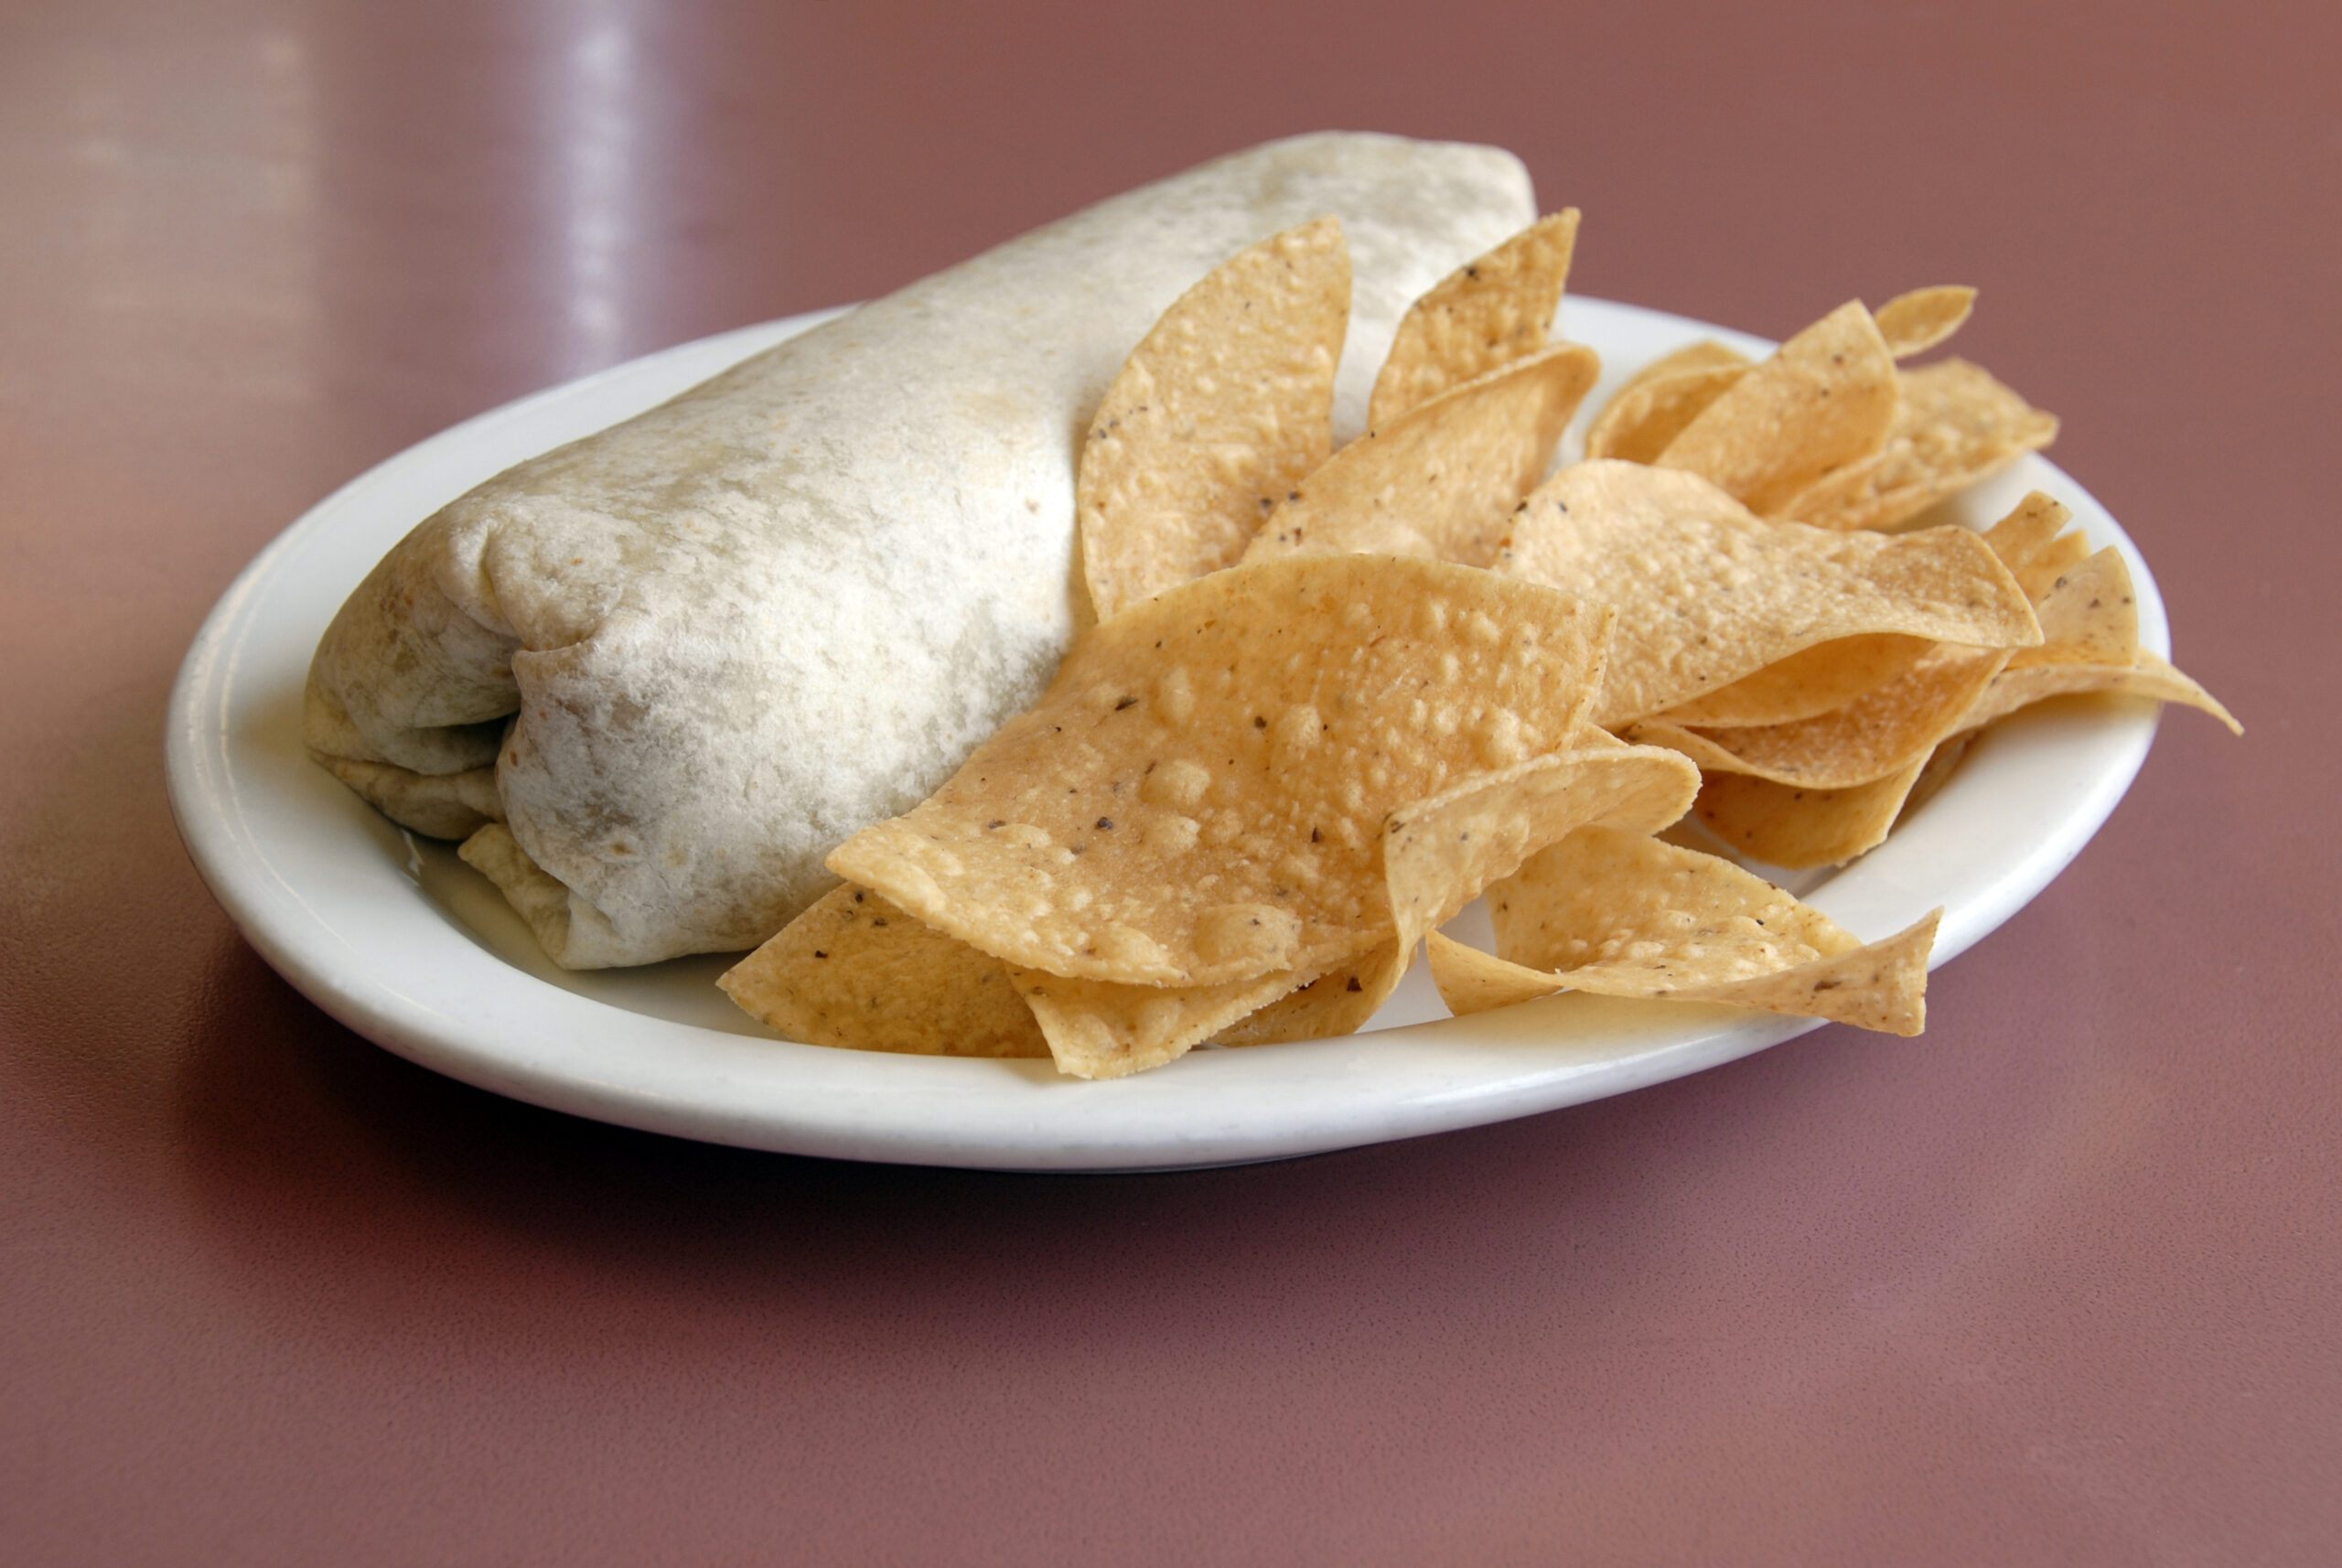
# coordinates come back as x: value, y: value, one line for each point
x: 1481, y: 317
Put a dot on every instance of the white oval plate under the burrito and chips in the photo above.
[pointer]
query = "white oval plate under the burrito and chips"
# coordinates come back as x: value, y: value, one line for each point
x: 411, y: 949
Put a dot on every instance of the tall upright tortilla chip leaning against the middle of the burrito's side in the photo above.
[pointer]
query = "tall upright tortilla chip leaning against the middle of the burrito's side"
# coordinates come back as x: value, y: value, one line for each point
x: 1217, y: 415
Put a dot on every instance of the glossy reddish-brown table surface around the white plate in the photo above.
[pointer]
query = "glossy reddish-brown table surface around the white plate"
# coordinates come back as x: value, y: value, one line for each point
x: 2053, y: 1284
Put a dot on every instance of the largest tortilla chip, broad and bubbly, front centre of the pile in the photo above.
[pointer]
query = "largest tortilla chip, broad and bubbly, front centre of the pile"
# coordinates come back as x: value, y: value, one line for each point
x: 1200, y: 795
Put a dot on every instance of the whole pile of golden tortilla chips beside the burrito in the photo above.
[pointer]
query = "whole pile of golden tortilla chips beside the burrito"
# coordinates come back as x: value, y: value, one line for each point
x: 1334, y: 696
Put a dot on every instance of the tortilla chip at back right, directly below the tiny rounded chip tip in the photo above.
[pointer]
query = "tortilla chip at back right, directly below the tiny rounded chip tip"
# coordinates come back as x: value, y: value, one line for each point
x: 1957, y: 427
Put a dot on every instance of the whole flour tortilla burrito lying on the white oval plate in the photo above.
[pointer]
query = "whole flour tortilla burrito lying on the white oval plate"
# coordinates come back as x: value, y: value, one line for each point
x: 655, y: 678
